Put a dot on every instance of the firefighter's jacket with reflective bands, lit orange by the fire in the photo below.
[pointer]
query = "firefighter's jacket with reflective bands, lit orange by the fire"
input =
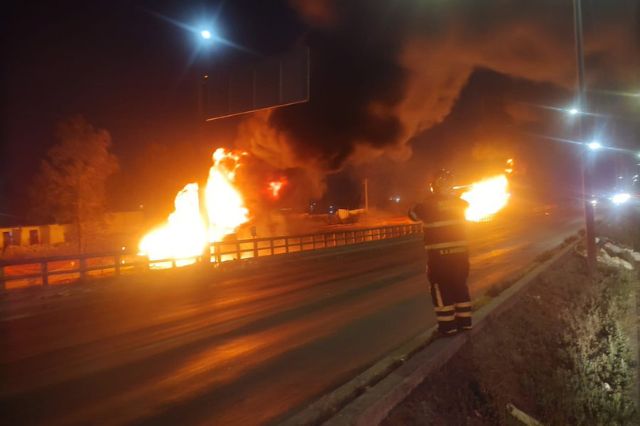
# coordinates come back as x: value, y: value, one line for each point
x: 444, y: 223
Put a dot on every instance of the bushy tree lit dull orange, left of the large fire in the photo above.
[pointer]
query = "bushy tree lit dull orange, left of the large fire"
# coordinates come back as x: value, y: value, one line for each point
x: 71, y: 184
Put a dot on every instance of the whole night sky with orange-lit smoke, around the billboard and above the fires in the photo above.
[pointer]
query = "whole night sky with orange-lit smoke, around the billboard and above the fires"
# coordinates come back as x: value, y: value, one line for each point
x: 398, y: 88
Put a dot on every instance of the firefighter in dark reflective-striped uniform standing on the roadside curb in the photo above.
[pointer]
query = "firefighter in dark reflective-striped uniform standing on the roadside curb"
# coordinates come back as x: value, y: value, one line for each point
x: 442, y: 215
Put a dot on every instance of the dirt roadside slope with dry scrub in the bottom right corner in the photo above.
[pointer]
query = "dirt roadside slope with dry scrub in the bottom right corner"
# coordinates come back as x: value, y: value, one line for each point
x: 564, y: 354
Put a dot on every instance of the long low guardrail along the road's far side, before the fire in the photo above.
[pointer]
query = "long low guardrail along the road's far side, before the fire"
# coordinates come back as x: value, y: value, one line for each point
x: 48, y: 270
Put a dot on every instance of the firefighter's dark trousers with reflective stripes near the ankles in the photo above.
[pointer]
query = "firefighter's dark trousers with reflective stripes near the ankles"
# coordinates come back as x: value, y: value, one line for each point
x: 448, y: 270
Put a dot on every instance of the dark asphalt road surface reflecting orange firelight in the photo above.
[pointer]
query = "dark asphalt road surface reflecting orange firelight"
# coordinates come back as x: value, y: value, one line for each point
x: 246, y: 346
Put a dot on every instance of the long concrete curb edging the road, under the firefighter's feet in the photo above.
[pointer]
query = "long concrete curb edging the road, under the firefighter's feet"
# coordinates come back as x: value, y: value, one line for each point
x: 368, y: 398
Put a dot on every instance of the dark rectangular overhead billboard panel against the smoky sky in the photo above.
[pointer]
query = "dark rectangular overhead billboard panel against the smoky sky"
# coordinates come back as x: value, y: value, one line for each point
x: 274, y: 82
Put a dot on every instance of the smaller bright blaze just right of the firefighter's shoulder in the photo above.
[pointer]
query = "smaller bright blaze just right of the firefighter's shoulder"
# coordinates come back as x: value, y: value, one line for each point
x: 486, y: 198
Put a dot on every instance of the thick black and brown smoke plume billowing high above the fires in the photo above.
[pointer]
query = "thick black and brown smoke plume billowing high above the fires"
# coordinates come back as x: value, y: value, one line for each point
x: 383, y: 71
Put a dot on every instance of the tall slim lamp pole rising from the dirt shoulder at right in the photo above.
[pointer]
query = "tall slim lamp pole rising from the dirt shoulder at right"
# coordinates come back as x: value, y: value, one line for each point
x: 590, y: 234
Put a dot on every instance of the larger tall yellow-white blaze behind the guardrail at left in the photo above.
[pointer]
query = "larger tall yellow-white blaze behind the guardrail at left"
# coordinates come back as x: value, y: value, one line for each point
x: 188, y: 231
